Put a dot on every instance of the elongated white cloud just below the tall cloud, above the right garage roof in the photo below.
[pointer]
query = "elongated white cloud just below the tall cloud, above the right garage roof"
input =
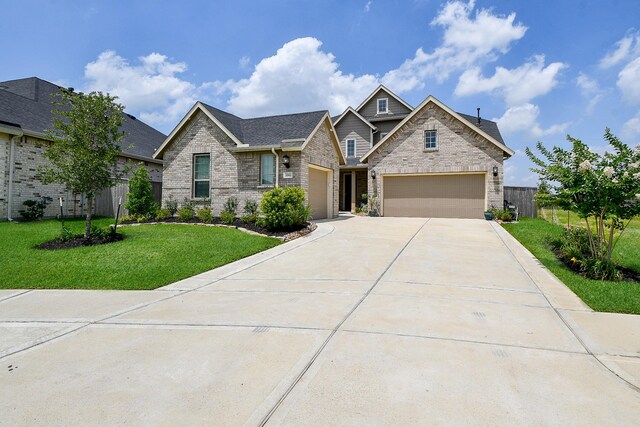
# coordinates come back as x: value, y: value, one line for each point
x: 517, y: 86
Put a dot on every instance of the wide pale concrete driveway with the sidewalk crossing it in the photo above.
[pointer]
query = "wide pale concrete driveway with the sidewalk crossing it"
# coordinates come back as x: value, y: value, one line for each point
x: 367, y: 321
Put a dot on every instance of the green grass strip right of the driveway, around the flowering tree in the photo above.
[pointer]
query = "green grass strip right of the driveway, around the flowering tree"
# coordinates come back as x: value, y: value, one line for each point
x: 617, y: 297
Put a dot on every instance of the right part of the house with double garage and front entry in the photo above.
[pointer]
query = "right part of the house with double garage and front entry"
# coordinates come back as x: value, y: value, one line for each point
x: 428, y: 161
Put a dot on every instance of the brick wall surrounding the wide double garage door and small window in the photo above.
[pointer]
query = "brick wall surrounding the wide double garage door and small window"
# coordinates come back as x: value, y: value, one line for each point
x: 460, y: 149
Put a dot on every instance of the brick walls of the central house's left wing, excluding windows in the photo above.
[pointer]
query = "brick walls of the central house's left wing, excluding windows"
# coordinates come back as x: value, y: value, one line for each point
x: 235, y: 174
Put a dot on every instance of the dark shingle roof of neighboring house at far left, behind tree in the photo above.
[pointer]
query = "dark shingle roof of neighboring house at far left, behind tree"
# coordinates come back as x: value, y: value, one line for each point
x: 28, y: 104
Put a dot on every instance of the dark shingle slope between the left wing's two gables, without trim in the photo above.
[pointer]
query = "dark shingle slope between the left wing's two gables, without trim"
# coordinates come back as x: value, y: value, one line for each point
x: 272, y: 130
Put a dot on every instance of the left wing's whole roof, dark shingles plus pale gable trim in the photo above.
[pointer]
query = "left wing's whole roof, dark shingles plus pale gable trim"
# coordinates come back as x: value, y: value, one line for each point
x: 286, y: 131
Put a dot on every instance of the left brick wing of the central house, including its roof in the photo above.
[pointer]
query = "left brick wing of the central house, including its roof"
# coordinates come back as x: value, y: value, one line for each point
x: 212, y: 155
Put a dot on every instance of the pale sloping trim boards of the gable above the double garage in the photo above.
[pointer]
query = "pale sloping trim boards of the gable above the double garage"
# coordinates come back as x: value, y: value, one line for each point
x: 432, y: 102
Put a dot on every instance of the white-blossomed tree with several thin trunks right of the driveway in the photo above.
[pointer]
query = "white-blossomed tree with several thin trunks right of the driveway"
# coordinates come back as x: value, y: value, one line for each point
x: 602, y: 189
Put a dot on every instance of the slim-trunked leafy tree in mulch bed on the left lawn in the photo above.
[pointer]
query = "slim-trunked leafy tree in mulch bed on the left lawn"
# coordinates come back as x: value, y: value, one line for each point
x: 84, y: 151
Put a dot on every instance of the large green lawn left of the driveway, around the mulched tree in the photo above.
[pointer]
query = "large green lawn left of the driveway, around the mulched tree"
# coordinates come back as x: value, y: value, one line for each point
x: 150, y: 256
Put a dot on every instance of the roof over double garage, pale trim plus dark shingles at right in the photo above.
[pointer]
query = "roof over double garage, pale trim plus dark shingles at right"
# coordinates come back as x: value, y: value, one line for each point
x: 469, y: 121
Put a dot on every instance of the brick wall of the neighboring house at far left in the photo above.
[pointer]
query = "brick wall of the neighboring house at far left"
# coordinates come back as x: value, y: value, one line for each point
x: 28, y: 157
